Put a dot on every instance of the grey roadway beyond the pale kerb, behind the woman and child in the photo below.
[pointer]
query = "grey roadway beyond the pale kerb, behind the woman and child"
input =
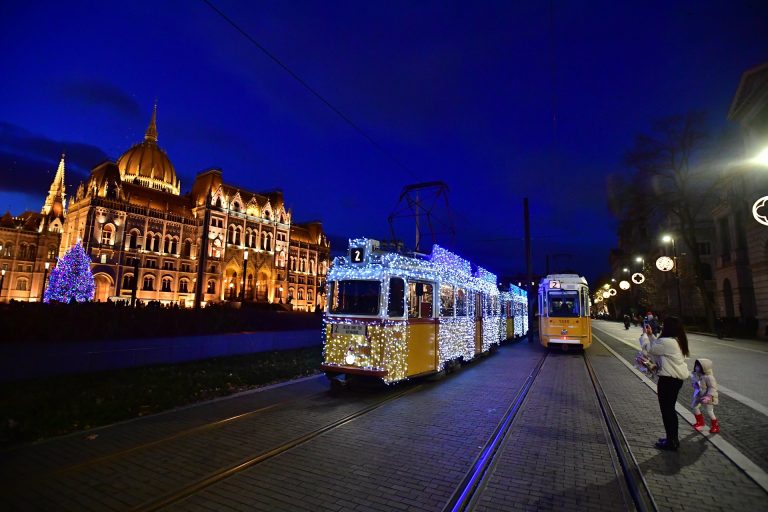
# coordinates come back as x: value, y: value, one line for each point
x: 743, y: 366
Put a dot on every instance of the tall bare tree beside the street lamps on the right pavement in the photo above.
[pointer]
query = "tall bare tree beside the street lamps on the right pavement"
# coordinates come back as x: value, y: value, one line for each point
x: 672, y: 168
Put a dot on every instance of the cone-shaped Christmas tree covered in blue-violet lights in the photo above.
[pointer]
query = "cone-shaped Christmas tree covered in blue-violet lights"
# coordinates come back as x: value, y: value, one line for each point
x: 72, y: 278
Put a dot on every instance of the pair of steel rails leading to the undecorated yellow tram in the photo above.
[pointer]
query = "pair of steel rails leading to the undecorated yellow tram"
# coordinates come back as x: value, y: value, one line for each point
x: 633, y: 486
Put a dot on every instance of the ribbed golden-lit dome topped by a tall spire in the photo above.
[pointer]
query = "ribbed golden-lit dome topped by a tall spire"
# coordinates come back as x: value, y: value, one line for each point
x: 147, y: 165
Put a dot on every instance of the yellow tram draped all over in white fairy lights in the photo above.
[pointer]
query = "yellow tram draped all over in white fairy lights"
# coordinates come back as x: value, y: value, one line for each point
x: 394, y: 316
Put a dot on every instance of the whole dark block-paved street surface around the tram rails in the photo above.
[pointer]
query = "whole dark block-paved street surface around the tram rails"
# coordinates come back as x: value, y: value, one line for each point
x: 410, y: 446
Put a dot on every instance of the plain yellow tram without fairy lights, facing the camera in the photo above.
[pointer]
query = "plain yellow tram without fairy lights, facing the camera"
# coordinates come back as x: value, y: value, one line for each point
x: 564, y: 306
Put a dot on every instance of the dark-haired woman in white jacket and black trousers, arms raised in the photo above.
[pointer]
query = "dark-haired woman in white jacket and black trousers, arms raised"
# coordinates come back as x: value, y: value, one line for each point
x: 670, y: 350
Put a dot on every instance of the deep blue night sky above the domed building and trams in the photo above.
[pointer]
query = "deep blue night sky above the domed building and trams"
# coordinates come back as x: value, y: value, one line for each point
x: 460, y: 92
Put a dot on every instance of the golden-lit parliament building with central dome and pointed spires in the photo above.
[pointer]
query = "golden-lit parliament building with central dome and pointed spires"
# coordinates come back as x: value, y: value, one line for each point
x: 148, y: 242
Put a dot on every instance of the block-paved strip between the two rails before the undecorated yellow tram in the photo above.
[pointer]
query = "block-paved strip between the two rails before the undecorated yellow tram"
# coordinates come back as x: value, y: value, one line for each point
x: 557, y: 455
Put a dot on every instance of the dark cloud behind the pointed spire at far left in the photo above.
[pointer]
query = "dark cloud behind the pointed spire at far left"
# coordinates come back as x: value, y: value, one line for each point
x: 28, y: 161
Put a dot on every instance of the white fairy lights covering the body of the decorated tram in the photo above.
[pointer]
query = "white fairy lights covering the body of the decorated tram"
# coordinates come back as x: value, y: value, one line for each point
x: 384, y: 346
